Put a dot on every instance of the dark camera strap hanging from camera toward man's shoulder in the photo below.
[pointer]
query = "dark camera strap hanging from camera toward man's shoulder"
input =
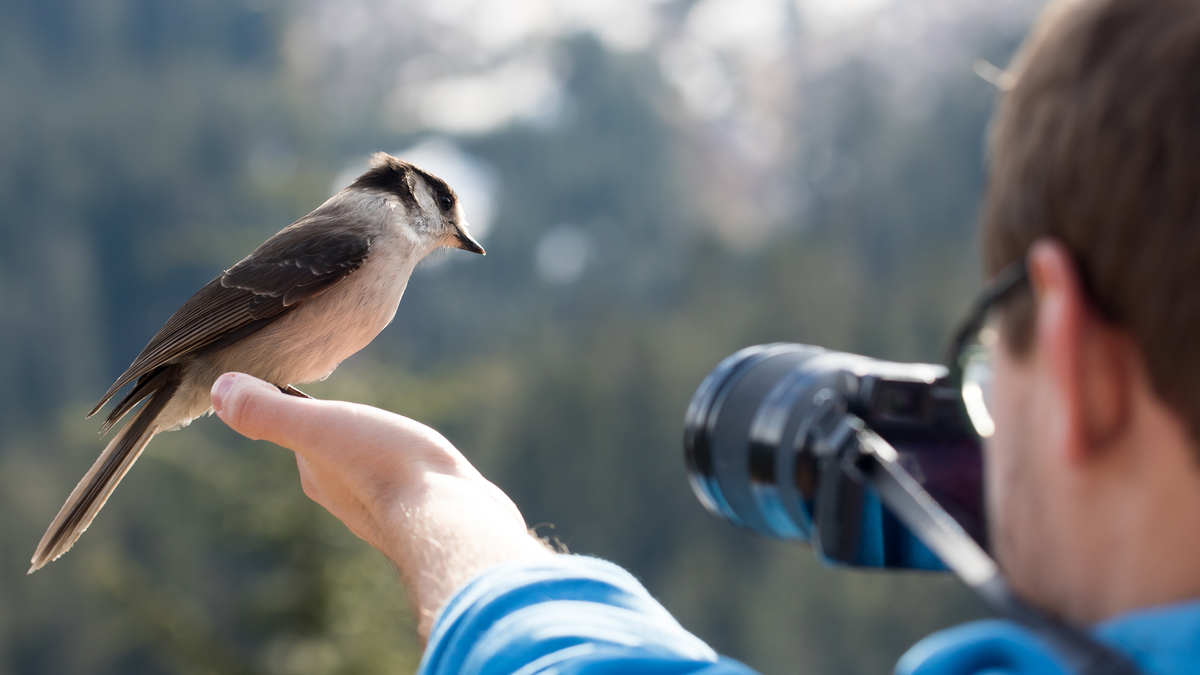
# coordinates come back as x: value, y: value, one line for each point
x: 869, y: 459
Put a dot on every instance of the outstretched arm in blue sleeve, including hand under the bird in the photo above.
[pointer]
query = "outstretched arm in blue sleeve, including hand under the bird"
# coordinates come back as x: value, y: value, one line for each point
x: 406, y: 491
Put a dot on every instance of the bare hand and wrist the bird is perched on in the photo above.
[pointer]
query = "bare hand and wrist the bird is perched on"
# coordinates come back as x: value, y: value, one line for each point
x: 394, y: 482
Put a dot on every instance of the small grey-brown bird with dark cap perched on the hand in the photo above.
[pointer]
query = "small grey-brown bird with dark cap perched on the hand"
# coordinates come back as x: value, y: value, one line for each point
x: 290, y: 313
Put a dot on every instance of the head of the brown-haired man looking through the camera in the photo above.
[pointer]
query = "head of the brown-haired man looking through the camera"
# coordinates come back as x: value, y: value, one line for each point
x: 1095, y: 175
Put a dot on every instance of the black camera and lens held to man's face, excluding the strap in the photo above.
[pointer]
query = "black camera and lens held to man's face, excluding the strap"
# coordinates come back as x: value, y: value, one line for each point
x: 761, y: 449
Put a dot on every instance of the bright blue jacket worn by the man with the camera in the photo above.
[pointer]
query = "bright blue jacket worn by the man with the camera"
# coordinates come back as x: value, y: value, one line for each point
x: 580, y: 616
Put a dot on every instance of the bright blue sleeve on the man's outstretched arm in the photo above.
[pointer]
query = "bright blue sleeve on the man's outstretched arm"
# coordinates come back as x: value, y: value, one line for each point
x: 565, y: 616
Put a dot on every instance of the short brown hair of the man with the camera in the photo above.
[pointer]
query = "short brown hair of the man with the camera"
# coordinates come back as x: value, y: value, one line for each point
x: 1097, y: 145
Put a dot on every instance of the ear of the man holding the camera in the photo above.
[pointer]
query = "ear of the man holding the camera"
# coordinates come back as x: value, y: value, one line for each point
x: 1085, y: 361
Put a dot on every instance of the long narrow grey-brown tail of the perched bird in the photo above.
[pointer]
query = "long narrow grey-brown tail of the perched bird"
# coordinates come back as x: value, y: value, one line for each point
x: 101, y: 480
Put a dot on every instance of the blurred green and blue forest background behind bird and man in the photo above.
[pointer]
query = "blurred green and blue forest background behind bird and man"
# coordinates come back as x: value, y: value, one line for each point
x: 658, y: 183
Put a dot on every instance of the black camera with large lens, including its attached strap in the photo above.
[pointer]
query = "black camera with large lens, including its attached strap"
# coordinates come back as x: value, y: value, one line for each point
x: 875, y: 464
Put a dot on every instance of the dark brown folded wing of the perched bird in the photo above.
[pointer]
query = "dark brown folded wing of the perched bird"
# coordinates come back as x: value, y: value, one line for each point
x: 301, y: 262
